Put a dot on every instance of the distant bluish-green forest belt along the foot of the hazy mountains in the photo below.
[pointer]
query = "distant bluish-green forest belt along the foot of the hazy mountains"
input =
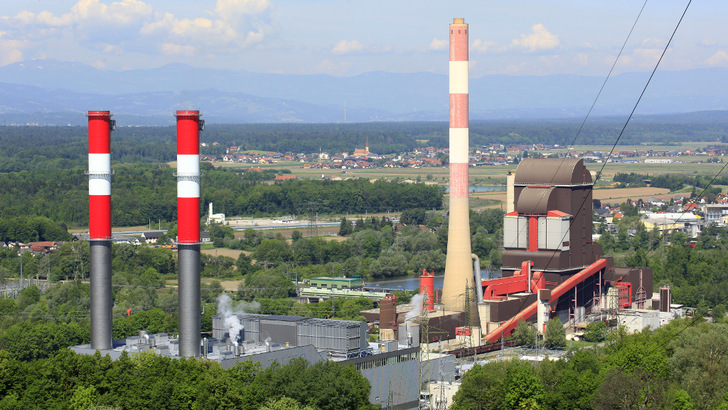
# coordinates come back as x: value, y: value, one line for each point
x: 53, y: 148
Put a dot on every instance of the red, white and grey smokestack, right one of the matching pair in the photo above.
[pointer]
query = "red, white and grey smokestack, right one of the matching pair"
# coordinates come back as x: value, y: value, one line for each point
x: 188, y: 230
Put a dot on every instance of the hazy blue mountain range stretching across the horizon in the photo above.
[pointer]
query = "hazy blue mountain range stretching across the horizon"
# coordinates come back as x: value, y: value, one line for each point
x: 58, y: 93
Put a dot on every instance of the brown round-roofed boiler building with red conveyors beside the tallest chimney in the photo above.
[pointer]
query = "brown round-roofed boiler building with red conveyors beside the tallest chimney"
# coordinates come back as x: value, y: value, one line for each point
x: 548, y: 251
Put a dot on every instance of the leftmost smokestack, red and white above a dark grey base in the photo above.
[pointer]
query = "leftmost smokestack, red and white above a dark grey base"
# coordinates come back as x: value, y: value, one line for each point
x: 100, y: 125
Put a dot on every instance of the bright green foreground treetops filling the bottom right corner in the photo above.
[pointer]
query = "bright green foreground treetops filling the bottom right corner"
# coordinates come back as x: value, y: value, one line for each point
x: 681, y: 366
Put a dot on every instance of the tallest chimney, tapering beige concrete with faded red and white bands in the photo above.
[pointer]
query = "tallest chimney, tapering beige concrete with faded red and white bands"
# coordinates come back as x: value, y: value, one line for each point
x: 458, y: 291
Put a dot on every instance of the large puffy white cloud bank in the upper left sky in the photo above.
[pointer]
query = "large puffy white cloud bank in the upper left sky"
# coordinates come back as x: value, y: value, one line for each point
x: 112, y: 26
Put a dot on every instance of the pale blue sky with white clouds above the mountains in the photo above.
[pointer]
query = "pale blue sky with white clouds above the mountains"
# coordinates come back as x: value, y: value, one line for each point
x: 346, y: 37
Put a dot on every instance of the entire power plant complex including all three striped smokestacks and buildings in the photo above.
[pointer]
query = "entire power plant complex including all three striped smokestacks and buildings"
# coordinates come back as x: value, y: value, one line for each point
x: 551, y: 268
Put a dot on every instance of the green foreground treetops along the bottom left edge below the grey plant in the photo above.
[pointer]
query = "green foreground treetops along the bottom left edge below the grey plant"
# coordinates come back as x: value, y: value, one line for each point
x: 67, y: 380
